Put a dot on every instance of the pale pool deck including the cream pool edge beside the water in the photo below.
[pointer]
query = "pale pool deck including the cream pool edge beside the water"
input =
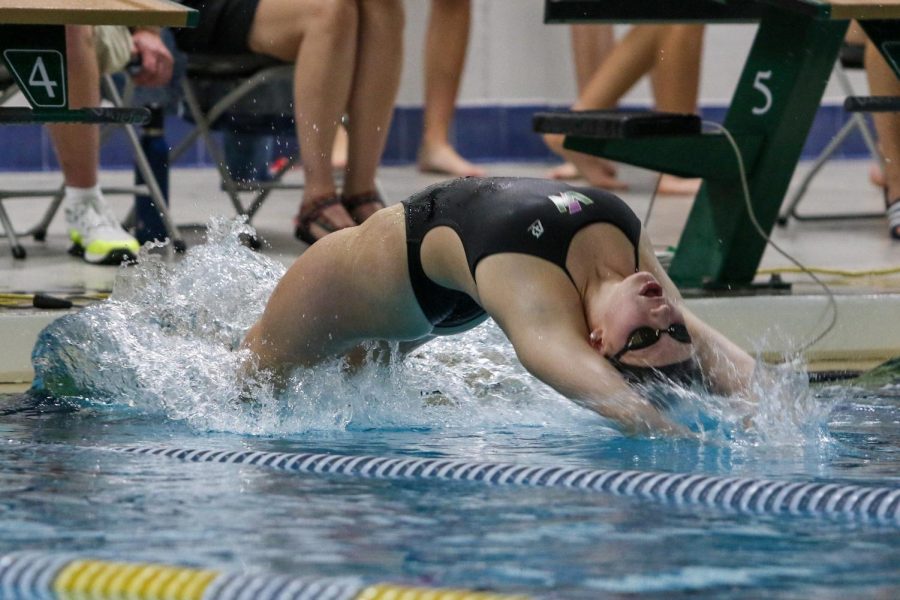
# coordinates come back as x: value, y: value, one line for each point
x: 867, y: 330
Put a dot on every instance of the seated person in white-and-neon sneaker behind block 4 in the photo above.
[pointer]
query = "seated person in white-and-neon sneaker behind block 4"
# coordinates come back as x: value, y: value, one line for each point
x: 92, y: 51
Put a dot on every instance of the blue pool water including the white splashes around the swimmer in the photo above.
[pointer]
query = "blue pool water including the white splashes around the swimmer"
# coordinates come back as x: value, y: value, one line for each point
x: 155, y: 367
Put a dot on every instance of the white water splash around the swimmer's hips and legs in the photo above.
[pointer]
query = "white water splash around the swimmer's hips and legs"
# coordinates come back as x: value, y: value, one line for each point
x: 165, y: 343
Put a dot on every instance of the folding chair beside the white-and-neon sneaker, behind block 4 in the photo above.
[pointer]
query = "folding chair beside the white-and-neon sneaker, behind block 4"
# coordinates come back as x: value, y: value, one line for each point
x: 151, y: 188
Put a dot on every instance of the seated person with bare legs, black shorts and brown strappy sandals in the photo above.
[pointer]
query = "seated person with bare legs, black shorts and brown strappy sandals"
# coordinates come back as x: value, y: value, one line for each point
x: 347, y: 56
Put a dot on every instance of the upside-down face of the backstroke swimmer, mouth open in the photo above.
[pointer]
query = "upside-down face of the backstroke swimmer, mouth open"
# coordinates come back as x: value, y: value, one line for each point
x: 638, y: 301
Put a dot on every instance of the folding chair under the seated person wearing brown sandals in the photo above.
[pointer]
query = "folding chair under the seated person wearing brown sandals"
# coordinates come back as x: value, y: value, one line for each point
x: 244, y: 93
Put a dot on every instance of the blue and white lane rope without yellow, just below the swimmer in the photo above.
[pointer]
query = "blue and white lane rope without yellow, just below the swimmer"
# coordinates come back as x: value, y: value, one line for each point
x: 748, y: 495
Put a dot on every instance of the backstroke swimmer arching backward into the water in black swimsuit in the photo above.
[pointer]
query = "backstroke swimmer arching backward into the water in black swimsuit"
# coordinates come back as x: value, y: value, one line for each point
x: 566, y: 272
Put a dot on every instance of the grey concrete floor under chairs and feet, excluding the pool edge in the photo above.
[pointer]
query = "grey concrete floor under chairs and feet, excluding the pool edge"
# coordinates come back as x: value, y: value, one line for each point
x: 858, y: 245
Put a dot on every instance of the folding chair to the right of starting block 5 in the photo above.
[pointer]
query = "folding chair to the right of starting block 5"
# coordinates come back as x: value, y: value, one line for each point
x: 851, y: 58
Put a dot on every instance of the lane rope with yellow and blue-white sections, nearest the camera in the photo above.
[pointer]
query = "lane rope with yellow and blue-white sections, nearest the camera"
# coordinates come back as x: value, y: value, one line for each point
x: 37, y: 576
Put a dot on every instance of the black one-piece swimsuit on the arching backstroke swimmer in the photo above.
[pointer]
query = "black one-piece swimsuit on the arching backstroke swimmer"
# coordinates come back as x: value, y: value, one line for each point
x: 537, y: 217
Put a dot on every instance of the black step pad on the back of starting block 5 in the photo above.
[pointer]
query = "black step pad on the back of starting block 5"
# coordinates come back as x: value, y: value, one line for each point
x: 616, y: 124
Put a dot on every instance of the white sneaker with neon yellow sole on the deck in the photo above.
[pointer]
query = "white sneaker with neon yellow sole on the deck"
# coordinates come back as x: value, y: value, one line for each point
x: 97, y: 235
